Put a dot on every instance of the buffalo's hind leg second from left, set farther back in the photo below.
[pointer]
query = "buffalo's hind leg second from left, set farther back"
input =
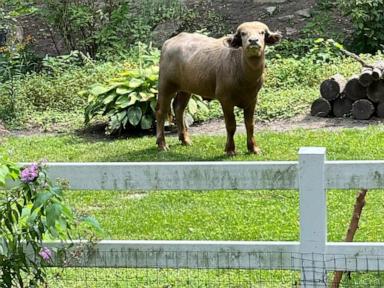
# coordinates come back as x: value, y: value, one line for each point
x: 179, y: 104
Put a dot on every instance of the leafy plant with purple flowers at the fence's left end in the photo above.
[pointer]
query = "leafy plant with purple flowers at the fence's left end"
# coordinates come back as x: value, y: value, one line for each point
x: 30, y: 212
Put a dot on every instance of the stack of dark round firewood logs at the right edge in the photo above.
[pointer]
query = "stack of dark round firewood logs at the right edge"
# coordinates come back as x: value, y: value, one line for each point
x: 361, y: 96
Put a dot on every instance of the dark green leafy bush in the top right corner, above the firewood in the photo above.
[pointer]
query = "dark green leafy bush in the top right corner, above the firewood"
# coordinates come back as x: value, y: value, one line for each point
x: 368, y: 20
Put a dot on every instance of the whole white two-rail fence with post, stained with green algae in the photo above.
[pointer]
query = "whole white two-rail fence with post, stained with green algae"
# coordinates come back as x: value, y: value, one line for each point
x: 312, y: 175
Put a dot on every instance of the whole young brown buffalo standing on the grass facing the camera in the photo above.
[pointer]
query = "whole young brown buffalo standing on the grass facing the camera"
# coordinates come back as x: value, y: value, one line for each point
x: 229, y: 69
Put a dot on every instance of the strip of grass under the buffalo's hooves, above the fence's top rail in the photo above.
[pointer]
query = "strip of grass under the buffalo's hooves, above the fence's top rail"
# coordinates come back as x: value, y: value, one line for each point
x: 346, y: 144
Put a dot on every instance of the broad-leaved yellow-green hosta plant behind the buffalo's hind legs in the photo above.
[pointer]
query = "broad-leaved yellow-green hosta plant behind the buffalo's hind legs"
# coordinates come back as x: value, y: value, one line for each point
x: 130, y: 100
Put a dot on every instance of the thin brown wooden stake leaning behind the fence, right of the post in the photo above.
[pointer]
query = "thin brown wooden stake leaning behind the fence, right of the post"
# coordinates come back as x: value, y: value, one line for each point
x: 353, y: 226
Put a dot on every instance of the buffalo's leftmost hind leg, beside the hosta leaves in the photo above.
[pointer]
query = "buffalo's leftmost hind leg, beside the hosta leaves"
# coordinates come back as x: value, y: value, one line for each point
x: 162, y: 109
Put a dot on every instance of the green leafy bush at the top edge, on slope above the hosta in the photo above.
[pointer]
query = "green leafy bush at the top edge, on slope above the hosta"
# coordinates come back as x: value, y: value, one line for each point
x: 107, y: 27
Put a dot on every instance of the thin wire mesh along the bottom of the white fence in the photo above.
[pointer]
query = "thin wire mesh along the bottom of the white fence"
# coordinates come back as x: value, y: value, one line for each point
x: 286, y: 270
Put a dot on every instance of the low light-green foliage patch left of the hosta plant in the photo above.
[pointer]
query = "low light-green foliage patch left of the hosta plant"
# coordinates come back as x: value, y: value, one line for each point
x: 57, y: 92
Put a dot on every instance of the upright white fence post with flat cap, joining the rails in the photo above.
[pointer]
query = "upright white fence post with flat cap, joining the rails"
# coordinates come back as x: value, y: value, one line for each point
x: 313, y: 216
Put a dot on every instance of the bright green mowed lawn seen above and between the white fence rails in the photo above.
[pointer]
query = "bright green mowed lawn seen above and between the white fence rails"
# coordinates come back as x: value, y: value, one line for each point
x: 207, y: 215
